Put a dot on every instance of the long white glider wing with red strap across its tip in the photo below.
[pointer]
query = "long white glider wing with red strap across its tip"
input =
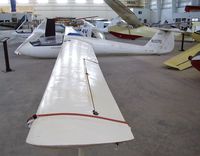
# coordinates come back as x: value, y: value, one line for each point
x: 77, y: 108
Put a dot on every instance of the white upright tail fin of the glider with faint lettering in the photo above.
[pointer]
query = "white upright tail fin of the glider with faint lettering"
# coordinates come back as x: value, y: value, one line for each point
x: 162, y: 42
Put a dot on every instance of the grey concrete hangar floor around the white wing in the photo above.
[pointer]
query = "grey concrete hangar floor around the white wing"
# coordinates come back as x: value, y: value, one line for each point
x: 161, y: 105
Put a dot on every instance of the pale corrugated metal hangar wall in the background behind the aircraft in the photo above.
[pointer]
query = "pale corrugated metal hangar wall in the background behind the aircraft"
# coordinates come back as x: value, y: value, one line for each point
x: 160, y: 9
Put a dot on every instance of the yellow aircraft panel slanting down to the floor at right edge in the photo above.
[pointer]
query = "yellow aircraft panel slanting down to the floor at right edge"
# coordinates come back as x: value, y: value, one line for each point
x: 181, y: 61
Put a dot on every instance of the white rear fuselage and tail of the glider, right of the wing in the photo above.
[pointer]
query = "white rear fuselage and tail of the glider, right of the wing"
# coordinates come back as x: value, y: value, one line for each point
x: 161, y: 43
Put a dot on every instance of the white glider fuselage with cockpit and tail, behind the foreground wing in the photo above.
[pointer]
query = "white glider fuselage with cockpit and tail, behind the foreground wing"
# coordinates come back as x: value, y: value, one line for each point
x: 42, y: 46
